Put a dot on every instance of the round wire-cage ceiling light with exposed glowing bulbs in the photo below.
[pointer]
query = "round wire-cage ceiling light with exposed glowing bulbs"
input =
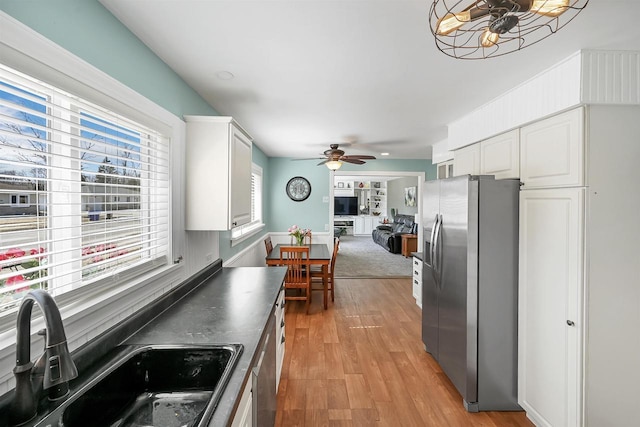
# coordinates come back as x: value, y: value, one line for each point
x: 478, y: 29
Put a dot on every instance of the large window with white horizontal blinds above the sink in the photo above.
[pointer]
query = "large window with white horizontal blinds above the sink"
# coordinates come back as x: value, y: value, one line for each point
x: 84, y: 192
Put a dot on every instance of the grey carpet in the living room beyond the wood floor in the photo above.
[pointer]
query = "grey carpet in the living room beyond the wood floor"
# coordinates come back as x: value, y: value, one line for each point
x: 360, y: 256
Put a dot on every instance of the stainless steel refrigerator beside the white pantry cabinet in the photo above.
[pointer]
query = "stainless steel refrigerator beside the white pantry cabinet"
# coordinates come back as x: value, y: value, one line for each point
x: 470, y: 285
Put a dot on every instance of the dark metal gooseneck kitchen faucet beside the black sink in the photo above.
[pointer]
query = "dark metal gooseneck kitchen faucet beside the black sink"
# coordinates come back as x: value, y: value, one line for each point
x: 52, y: 370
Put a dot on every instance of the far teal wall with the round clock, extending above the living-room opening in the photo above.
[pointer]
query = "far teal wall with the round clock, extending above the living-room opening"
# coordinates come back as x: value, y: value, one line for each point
x: 313, y: 213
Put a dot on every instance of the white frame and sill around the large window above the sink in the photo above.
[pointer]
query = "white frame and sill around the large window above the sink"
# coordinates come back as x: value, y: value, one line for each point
x: 93, y: 310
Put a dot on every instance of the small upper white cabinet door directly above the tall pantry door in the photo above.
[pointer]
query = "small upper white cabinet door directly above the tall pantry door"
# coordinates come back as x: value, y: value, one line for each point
x: 552, y: 151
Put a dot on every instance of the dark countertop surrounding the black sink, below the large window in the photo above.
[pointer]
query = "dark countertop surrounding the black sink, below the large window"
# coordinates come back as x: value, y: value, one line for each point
x: 231, y: 307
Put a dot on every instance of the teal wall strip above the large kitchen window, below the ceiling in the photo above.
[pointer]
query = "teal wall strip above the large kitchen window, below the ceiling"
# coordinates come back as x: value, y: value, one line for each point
x: 88, y: 30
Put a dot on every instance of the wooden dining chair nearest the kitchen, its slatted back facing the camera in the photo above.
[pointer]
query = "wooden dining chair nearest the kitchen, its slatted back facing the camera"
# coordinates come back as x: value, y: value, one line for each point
x: 296, y: 259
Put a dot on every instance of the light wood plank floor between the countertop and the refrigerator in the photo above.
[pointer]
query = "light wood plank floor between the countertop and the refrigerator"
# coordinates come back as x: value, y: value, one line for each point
x: 362, y: 363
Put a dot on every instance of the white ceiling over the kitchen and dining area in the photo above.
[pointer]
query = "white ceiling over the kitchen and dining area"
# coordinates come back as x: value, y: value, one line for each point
x: 308, y: 73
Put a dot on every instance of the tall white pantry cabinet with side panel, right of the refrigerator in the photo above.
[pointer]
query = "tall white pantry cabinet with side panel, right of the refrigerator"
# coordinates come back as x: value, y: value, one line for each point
x: 579, y: 263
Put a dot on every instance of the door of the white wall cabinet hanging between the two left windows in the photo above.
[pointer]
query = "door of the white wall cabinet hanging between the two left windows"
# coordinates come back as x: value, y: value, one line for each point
x: 240, y: 182
